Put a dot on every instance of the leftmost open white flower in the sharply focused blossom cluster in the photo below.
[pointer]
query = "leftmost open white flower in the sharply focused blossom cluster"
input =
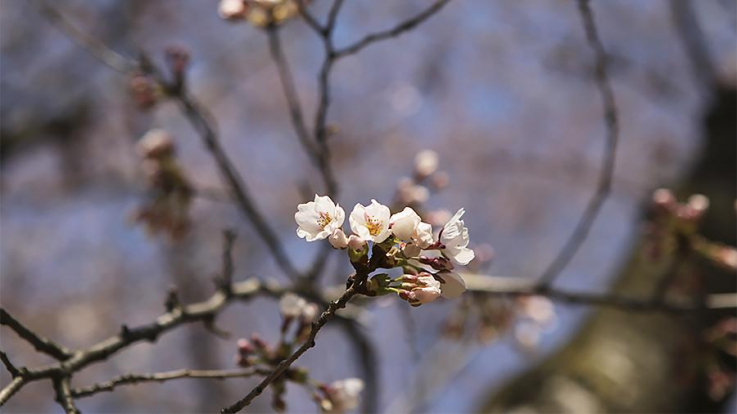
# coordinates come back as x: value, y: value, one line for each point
x: 318, y: 219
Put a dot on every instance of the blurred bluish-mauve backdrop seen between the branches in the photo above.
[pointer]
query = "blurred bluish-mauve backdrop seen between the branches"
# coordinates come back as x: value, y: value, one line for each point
x: 502, y: 91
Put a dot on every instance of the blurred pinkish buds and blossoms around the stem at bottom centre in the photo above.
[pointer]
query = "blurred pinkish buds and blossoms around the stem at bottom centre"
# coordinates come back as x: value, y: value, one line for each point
x: 297, y: 318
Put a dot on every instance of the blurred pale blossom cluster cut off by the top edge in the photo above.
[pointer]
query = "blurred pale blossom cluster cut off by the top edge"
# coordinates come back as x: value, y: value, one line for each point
x: 259, y: 13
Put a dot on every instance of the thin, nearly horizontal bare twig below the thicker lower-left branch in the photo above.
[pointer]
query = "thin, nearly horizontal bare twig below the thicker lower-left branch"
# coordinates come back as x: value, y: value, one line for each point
x: 133, y: 379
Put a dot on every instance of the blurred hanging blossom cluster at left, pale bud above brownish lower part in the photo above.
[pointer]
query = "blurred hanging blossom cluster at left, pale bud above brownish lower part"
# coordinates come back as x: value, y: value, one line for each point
x: 170, y: 194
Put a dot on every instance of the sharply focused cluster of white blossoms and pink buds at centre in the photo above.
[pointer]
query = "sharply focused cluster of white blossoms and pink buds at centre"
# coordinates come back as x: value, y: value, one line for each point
x: 403, y: 238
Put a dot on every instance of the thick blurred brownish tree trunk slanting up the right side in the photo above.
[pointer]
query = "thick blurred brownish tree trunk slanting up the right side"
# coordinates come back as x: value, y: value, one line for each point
x: 637, y: 362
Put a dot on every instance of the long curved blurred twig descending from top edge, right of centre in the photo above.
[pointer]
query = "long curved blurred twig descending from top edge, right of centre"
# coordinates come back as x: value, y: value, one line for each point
x: 611, y: 118
